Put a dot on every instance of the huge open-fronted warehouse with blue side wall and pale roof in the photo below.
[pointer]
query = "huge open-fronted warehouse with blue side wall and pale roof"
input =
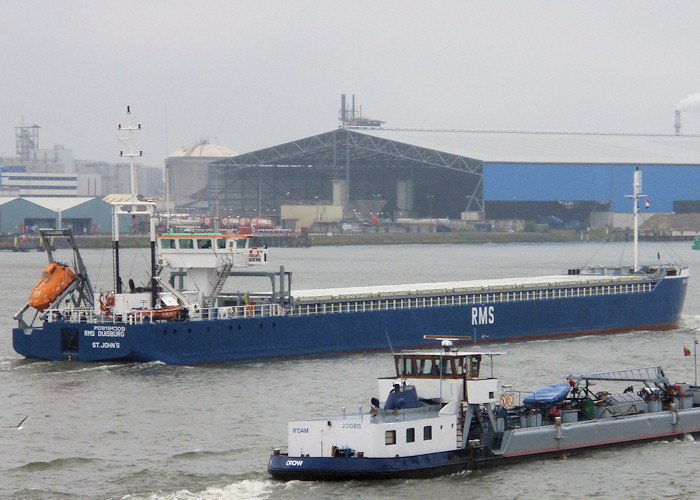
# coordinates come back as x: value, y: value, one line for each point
x: 457, y: 174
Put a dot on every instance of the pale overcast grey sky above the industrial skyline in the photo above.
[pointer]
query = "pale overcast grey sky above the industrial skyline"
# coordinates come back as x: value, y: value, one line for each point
x: 250, y: 74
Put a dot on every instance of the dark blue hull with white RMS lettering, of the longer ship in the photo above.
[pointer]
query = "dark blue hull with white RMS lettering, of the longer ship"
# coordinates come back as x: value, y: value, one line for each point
x: 244, y: 338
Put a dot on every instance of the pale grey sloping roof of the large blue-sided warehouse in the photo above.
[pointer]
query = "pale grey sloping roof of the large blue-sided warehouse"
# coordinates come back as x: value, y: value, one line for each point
x: 550, y: 147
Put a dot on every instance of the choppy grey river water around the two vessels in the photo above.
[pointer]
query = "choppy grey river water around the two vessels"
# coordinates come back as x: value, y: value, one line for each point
x: 150, y: 431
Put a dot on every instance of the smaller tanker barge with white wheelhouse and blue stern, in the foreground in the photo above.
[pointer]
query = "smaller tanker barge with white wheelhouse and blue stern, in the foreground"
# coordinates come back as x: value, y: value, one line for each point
x: 441, y: 413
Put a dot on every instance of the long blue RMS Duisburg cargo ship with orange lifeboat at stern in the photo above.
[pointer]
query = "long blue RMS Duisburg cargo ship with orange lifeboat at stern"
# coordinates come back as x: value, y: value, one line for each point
x: 184, y: 315
